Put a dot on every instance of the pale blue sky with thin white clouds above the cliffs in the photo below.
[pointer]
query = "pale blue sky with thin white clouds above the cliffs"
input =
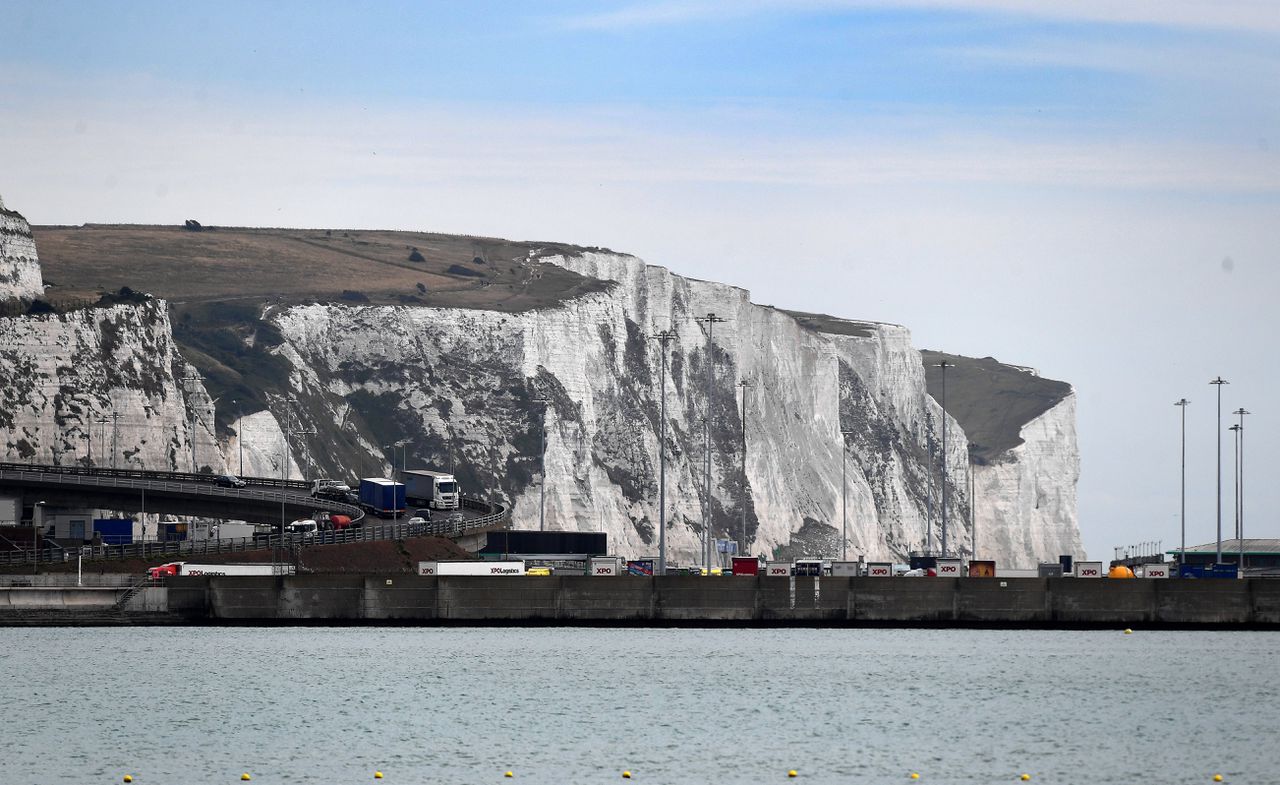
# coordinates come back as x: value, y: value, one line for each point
x: 1089, y: 189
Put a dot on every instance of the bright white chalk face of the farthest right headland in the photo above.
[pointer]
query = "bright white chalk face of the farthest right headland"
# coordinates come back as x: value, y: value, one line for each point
x: 1026, y: 503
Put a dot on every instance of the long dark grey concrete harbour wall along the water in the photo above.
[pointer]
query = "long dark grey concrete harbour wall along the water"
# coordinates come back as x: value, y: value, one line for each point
x: 697, y: 601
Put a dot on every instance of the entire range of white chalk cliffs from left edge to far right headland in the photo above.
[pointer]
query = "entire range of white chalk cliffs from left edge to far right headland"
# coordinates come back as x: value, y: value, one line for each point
x: 840, y: 419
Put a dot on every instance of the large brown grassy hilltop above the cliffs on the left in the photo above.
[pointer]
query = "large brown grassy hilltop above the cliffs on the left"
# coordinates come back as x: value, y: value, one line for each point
x: 211, y: 264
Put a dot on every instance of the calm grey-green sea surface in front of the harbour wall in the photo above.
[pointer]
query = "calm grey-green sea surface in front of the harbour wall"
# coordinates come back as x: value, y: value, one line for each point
x: 579, y: 706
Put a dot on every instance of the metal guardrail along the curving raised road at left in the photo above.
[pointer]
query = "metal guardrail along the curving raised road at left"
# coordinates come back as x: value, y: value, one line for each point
x: 199, y: 485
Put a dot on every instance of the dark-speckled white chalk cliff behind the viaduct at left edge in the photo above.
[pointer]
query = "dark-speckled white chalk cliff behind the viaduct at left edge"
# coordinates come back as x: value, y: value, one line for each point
x: 63, y: 373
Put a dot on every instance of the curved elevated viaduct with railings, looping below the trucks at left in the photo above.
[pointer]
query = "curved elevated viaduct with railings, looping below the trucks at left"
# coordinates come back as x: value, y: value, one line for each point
x: 263, y: 500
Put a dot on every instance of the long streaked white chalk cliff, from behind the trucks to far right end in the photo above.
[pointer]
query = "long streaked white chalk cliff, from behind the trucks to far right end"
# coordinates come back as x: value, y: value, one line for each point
x: 464, y: 389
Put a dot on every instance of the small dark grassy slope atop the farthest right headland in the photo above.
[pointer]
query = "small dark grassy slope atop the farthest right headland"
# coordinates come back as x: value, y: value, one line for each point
x: 991, y: 400
